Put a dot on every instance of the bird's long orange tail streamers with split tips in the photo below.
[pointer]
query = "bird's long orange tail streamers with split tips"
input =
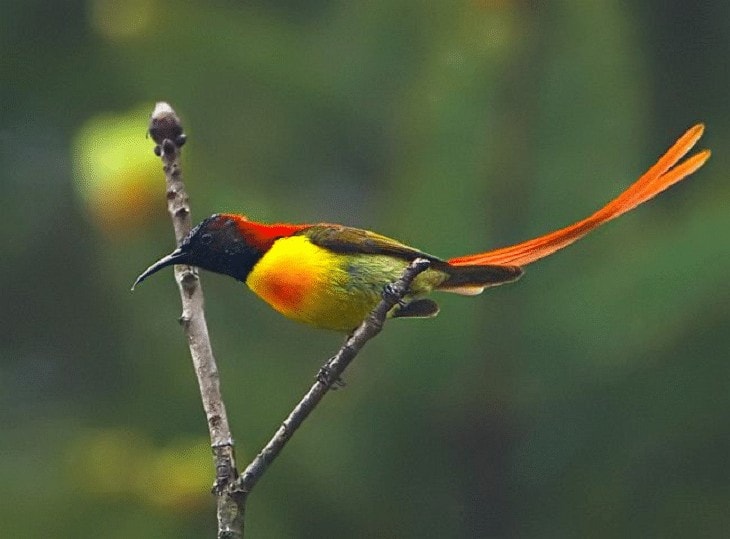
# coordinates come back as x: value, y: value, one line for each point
x: 658, y: 178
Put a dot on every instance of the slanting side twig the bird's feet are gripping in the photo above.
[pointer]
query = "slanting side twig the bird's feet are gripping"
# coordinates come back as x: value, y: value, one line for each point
x: 329, y: 374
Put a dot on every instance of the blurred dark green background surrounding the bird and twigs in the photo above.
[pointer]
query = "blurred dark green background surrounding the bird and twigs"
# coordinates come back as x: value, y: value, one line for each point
x: 588, y: 400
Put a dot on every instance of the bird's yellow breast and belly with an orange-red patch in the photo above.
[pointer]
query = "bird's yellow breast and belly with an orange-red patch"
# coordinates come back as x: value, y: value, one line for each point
x: 329, y: 290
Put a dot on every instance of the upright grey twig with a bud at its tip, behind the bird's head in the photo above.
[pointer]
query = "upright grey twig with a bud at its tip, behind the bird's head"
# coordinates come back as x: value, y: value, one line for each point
x: 167, y: 132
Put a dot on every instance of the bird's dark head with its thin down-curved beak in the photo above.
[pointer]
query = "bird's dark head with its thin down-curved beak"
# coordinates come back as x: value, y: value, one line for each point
x: 217, y: 245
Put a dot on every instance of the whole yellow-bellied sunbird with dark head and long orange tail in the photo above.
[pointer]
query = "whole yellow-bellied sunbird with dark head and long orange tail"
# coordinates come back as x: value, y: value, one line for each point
x: 331, y: 276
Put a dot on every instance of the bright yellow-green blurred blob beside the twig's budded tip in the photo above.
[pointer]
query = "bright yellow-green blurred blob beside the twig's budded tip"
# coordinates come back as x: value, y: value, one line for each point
x: 117, y: 176
